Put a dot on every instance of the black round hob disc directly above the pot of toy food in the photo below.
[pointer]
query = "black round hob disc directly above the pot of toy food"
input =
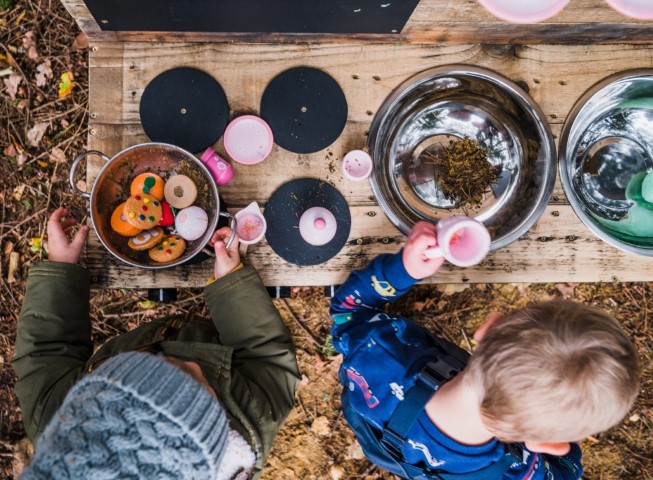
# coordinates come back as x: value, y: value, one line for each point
x: 185, y: 107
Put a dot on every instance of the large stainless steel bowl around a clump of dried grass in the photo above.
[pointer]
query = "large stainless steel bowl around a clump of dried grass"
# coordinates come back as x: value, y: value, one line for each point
x: 452, y: 102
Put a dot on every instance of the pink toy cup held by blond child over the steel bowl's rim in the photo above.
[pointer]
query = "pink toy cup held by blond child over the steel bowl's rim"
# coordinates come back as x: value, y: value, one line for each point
x: 462, y: 241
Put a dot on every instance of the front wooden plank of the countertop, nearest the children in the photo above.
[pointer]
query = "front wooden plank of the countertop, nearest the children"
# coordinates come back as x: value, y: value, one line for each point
x: 559, y: 248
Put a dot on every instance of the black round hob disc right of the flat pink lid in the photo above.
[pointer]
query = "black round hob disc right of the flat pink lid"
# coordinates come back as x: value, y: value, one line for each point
x: 305, y: 108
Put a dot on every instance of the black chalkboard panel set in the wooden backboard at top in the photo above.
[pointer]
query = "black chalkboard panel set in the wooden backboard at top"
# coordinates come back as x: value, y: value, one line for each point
x: 253, y: 16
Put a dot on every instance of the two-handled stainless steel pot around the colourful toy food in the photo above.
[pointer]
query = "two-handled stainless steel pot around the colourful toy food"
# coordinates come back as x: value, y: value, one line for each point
x: 111, y: 188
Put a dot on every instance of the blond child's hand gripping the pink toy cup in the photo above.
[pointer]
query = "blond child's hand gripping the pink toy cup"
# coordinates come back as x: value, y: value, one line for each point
x: 419, y: 241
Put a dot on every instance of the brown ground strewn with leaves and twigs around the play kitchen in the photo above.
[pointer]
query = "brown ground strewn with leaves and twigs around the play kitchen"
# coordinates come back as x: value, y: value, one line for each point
x: 42, y: 131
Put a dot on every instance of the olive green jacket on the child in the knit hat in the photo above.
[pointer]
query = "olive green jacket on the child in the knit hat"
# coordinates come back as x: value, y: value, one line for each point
x: 245, y: 353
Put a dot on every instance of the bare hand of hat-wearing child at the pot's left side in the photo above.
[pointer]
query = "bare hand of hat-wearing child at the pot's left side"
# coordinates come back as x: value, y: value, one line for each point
x: 60, y: 248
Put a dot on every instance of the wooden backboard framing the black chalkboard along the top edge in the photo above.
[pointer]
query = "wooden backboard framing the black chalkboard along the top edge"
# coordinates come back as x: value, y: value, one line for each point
x: 433, y: 21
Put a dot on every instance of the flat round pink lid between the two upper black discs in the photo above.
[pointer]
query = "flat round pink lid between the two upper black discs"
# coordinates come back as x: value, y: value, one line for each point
x: 248, y: 139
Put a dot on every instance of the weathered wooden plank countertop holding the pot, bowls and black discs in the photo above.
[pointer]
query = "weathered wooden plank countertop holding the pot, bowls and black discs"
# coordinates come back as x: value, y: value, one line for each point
x: 558, y: 248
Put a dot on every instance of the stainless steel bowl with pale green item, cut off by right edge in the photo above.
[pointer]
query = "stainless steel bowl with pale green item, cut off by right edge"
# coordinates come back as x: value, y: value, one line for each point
x: 606, y: 142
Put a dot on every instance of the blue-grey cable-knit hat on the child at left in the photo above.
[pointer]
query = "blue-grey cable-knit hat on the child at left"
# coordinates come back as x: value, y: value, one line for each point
x: 136, y: 416
